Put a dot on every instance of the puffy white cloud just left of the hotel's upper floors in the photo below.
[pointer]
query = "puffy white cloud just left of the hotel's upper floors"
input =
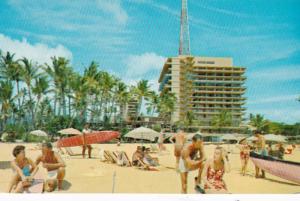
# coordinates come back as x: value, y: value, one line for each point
x: 139, y: 65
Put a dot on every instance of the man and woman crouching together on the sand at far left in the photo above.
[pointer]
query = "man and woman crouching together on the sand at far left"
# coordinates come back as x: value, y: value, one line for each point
x: 25, y: 169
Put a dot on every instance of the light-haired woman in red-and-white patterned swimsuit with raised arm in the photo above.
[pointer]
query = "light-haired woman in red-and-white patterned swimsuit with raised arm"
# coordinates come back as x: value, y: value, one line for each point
x: 214, y: 170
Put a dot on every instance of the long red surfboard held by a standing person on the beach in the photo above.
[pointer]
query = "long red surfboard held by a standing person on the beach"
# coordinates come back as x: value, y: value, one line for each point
x: 90, y: 138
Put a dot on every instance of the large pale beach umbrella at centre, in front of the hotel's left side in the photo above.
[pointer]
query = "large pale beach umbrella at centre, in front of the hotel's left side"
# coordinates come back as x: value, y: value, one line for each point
x: 143, y: 133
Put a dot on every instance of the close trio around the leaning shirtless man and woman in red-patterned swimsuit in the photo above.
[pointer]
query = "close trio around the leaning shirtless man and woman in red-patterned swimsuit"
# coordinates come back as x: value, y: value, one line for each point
x: 191, y: 157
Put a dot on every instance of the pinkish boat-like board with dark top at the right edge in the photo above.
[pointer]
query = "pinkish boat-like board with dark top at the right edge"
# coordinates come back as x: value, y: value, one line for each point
x: 288, y: 170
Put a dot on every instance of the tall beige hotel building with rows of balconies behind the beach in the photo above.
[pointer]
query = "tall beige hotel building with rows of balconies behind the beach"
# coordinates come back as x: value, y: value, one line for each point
x: 206, y: 86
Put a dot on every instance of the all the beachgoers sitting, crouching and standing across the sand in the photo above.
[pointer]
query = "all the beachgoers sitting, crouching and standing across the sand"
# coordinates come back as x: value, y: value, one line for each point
x: 189, y: 157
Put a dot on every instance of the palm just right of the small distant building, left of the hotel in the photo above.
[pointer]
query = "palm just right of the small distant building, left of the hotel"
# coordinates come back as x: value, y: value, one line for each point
x: 142, y: 92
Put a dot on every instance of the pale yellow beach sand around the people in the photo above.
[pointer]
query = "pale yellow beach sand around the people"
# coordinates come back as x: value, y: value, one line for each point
x: 93, y: 176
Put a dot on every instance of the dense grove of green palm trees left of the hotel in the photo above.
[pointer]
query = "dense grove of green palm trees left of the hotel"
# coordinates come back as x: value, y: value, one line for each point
x: 53, y: 95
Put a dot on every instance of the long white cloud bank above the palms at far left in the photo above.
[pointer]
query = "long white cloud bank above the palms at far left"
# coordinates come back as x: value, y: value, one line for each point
x: 38, y: 52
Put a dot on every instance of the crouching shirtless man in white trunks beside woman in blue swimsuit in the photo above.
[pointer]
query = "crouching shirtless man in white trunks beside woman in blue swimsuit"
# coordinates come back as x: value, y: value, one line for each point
x: 54, y: 165
